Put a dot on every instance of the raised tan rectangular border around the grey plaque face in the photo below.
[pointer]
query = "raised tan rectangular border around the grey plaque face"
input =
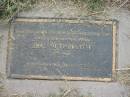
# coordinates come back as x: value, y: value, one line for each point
x: 55, y: 20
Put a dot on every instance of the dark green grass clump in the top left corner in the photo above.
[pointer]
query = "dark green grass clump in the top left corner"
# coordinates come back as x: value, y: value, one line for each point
x: 9, y: 8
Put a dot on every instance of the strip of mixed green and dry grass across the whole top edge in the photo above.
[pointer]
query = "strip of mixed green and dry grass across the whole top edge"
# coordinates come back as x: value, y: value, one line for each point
x: 10, y: 8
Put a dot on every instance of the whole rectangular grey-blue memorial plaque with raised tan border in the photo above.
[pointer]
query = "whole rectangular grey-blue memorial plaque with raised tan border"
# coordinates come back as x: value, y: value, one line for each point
x: 70, y: 49
